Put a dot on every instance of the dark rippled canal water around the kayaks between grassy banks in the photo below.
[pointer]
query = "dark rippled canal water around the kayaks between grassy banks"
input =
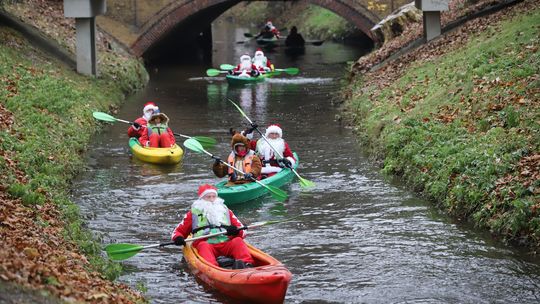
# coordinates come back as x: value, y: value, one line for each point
x: 363, y: 237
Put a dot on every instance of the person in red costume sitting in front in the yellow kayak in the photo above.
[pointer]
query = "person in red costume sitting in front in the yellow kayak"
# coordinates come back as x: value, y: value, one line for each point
x: 157, y: 133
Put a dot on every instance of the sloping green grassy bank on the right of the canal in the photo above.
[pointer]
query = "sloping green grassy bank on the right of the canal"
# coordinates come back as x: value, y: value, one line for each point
x: 461, y: 124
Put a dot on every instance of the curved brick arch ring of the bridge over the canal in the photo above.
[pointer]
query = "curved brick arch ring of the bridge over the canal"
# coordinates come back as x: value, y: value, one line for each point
x: 168, y: 18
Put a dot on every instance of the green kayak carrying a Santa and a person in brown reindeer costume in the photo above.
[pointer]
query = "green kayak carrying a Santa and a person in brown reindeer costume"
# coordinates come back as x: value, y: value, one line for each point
x: 242, y: 193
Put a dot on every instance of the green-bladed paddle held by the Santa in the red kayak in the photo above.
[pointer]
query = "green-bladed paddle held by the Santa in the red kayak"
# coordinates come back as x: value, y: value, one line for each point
x: 122, y: 251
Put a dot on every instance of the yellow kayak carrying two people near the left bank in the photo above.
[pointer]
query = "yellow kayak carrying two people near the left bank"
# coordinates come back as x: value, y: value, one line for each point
x: 161, y: 156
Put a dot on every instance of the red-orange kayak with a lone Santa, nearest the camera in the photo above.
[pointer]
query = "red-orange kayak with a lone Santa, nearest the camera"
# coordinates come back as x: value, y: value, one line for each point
x: 266, y: 282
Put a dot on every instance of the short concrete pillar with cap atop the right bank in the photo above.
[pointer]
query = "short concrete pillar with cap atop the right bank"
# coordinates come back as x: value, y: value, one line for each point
x: 431, y: 10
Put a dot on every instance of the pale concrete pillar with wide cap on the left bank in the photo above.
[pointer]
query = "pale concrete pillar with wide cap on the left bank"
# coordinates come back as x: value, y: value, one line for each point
x: 85, y: 12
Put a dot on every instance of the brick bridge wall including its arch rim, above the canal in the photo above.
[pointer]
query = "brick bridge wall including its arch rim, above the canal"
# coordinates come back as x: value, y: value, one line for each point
x: 145, y: 22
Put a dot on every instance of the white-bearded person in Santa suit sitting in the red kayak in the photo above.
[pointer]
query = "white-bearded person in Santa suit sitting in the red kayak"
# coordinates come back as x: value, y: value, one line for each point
x: 208, y: 214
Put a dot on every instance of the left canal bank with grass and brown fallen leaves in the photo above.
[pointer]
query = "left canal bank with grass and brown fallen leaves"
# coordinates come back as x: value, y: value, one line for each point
x: 47, y: 123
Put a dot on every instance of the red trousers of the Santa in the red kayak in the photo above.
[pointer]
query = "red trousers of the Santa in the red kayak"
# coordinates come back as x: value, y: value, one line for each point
x: 235, y: 248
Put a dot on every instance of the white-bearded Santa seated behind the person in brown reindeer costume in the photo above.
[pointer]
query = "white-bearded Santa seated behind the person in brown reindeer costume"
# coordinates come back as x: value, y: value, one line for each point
x: 271, y: 162
